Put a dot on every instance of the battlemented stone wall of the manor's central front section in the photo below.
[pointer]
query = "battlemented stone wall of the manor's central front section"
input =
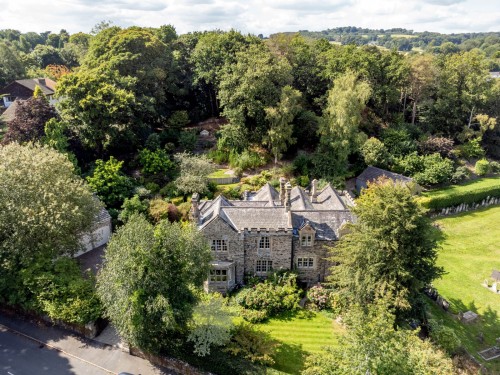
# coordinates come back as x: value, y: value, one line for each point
x: 280, y: 253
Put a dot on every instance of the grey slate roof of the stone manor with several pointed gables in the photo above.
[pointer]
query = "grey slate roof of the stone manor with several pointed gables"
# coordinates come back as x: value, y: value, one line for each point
x: 263, y: 210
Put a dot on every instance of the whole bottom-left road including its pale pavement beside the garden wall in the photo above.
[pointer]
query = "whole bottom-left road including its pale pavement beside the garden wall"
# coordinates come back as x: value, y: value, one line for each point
x: 27, y: 348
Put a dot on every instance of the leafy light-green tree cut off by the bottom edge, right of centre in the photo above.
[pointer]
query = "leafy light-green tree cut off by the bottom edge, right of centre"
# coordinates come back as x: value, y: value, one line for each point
x: 372, y: 345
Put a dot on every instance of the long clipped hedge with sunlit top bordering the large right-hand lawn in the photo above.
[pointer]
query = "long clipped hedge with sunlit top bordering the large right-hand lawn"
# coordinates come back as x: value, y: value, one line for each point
x: 454, y: 195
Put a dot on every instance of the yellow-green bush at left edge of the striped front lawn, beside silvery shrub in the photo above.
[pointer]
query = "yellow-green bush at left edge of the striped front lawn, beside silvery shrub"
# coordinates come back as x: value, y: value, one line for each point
x: 256, y: 346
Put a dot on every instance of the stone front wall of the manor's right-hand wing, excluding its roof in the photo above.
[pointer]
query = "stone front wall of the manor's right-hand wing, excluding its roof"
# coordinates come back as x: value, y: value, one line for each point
x: 319, y: 251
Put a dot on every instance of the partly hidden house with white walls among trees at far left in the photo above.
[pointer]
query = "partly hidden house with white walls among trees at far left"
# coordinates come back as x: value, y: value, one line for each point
x: 24, y: 88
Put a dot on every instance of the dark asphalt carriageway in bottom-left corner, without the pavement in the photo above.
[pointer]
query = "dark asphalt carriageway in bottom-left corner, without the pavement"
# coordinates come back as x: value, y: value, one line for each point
x: 22, y: 356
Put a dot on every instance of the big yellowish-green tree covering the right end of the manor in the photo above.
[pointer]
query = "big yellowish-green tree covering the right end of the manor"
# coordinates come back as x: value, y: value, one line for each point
x: 390, y: 249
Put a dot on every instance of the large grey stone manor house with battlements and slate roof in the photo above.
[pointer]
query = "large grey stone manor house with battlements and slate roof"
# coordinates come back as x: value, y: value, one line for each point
x: 271, y: 230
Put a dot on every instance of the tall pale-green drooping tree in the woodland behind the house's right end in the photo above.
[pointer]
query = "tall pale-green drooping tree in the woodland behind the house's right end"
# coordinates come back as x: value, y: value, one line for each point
x: 341, y: 119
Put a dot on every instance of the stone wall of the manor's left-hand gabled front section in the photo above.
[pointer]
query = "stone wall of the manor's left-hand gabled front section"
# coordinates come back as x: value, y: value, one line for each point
x: 219, y: 229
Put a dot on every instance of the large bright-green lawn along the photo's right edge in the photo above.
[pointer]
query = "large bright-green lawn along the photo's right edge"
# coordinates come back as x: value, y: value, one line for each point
x: 470, y: 251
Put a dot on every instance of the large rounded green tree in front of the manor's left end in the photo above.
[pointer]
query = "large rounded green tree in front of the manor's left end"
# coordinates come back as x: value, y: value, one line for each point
x: 148, y: 280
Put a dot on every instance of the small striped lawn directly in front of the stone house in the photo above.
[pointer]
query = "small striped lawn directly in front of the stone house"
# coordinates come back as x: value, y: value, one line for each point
x: 300, y: 333
